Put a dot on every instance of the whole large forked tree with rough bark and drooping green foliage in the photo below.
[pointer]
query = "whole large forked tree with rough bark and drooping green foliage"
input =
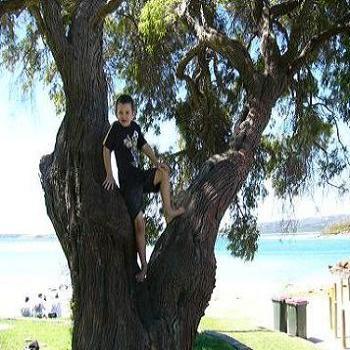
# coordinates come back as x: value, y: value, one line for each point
x: 85, y: 42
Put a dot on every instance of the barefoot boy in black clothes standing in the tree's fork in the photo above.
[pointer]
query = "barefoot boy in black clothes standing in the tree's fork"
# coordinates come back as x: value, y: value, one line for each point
x: 125, y: 138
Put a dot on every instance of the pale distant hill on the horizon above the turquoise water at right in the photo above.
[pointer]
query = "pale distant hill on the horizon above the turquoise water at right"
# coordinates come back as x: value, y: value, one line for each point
x: 314, y: 224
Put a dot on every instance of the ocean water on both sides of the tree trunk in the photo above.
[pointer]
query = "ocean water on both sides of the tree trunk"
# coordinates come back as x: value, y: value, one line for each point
x: 30, y: 264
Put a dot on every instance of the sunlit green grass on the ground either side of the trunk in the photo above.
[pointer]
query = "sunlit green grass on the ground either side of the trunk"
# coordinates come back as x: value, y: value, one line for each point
x: 56, y: 335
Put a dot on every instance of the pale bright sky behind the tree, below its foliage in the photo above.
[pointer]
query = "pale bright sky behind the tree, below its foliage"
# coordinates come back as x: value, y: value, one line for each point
x: 28, y: 128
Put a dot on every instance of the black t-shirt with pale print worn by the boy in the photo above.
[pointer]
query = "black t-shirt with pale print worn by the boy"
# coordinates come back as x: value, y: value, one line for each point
x: 126, y: 142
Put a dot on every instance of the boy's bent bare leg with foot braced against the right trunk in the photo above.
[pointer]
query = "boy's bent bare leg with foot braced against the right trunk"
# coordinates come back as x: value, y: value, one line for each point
x: 162, y: 177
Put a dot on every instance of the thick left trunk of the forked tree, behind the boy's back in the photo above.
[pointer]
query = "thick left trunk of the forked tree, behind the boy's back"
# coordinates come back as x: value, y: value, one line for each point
x: 91, y: 223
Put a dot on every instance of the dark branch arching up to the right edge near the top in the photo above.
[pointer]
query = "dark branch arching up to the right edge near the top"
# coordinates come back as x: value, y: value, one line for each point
x: 314, y: 44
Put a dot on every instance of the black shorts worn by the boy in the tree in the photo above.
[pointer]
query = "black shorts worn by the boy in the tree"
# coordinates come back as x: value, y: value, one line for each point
x: 133, y: 192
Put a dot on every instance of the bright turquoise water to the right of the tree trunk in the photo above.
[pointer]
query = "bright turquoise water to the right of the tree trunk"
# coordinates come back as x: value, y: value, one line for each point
x: 287, y: 259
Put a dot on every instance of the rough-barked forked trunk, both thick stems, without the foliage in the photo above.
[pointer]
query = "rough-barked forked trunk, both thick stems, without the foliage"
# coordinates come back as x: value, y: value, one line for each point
x: 110, y: 310
